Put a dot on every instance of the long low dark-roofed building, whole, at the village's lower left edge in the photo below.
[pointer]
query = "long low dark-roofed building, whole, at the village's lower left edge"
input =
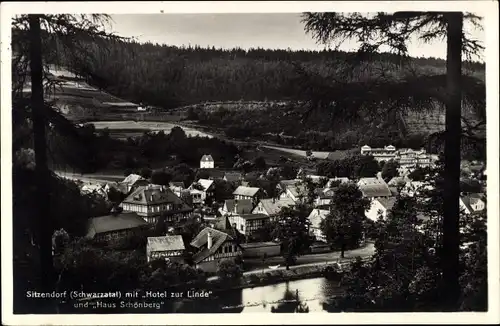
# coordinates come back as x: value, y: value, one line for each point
x: 116, y: 225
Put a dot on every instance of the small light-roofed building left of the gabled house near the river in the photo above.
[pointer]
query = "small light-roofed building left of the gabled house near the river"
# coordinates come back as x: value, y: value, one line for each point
x: 168, y: 247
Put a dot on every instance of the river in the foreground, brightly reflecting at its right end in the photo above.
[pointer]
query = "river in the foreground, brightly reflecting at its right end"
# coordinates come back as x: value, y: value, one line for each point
x: 312, y: 295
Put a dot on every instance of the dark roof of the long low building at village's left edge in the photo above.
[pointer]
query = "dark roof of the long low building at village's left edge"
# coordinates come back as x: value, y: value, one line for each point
x: 110, y: 223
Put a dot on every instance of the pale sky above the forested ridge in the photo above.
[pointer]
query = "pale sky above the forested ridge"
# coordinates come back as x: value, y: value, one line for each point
x: 245, y: 30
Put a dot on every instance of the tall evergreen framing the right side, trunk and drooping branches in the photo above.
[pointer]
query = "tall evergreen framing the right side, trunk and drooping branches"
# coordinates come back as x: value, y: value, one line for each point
x: 452, y: 89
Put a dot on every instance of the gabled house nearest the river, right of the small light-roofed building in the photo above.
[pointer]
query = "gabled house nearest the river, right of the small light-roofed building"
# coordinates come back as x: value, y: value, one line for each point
x: 211, y: 246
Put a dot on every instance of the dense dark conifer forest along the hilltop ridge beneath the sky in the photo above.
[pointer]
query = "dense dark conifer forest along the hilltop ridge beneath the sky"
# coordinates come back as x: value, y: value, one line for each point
x: 168, y: 76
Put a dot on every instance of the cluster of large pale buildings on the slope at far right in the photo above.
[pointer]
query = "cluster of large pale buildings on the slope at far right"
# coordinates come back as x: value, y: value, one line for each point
x: 406, y: 157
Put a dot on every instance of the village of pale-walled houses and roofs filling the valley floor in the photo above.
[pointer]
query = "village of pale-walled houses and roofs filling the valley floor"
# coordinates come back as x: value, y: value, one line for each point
x: 234, y: 229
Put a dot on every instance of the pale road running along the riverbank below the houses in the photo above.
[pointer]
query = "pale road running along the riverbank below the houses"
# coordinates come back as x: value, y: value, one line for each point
x: 257, y: 266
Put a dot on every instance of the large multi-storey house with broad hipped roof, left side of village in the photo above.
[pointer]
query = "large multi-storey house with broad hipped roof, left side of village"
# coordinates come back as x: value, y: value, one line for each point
x: 153, y: 201
